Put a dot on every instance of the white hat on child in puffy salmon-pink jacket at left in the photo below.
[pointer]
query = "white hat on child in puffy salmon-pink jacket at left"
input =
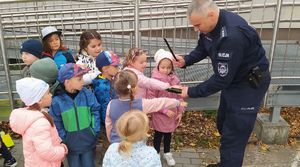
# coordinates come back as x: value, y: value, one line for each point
x: 31, y: 90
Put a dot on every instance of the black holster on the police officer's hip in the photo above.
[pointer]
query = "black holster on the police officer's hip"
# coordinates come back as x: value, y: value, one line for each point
x: 255, y: 77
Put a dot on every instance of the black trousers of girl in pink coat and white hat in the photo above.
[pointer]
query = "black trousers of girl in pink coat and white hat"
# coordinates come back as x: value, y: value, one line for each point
x: 157, y: 140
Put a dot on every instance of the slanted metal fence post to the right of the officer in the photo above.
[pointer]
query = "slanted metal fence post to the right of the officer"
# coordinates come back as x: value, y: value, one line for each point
x: 274, y: 116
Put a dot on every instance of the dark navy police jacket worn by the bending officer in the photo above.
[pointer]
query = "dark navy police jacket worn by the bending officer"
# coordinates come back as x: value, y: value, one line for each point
x: 234, y: 48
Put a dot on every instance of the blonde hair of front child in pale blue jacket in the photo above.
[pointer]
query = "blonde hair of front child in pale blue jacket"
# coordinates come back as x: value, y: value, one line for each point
x: 132, y: 127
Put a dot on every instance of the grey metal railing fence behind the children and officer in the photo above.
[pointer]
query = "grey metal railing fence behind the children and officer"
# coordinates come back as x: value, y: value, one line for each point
x: 127, y: 23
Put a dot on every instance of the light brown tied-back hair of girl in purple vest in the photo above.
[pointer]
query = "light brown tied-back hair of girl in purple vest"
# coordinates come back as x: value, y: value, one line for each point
x: 125, y: 82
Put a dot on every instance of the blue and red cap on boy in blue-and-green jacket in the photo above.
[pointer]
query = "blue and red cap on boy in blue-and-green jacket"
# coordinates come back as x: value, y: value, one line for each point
x: 69, y: 71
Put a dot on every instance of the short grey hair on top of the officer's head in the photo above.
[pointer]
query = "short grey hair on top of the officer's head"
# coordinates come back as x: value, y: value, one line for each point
x: 201, y: 6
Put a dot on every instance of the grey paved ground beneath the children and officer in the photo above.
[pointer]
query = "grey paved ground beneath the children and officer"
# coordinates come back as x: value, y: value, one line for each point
x: 275, y: 156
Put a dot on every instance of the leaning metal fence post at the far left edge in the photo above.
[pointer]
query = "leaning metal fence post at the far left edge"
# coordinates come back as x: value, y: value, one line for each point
x: 6, y: 66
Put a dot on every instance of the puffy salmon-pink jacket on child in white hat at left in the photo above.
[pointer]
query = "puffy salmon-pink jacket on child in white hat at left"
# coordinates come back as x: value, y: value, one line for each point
x: 41, y: 143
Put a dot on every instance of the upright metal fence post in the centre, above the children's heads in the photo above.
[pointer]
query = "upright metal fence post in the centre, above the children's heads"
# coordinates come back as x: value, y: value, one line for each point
x: 137, y: 37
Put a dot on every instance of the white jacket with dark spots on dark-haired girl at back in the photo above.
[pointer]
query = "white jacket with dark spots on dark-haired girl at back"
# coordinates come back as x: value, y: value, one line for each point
x: 89, y: 62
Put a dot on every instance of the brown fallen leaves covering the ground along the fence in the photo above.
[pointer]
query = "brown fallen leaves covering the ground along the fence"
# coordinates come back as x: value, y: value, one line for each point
x: 198, y: 129
